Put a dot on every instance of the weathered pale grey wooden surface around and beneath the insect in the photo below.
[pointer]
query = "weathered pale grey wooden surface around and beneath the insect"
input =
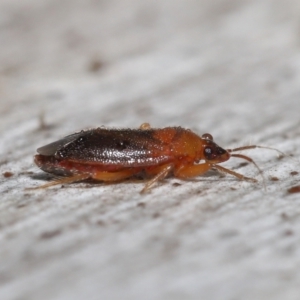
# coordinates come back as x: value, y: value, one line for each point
x: 231, y: 68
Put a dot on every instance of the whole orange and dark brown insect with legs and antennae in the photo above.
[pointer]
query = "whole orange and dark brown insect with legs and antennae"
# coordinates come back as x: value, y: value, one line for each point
x: 111, y: 155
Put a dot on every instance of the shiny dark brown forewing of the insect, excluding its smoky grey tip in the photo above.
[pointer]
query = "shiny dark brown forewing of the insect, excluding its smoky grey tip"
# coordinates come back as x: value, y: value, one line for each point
x: 114, y: 147
